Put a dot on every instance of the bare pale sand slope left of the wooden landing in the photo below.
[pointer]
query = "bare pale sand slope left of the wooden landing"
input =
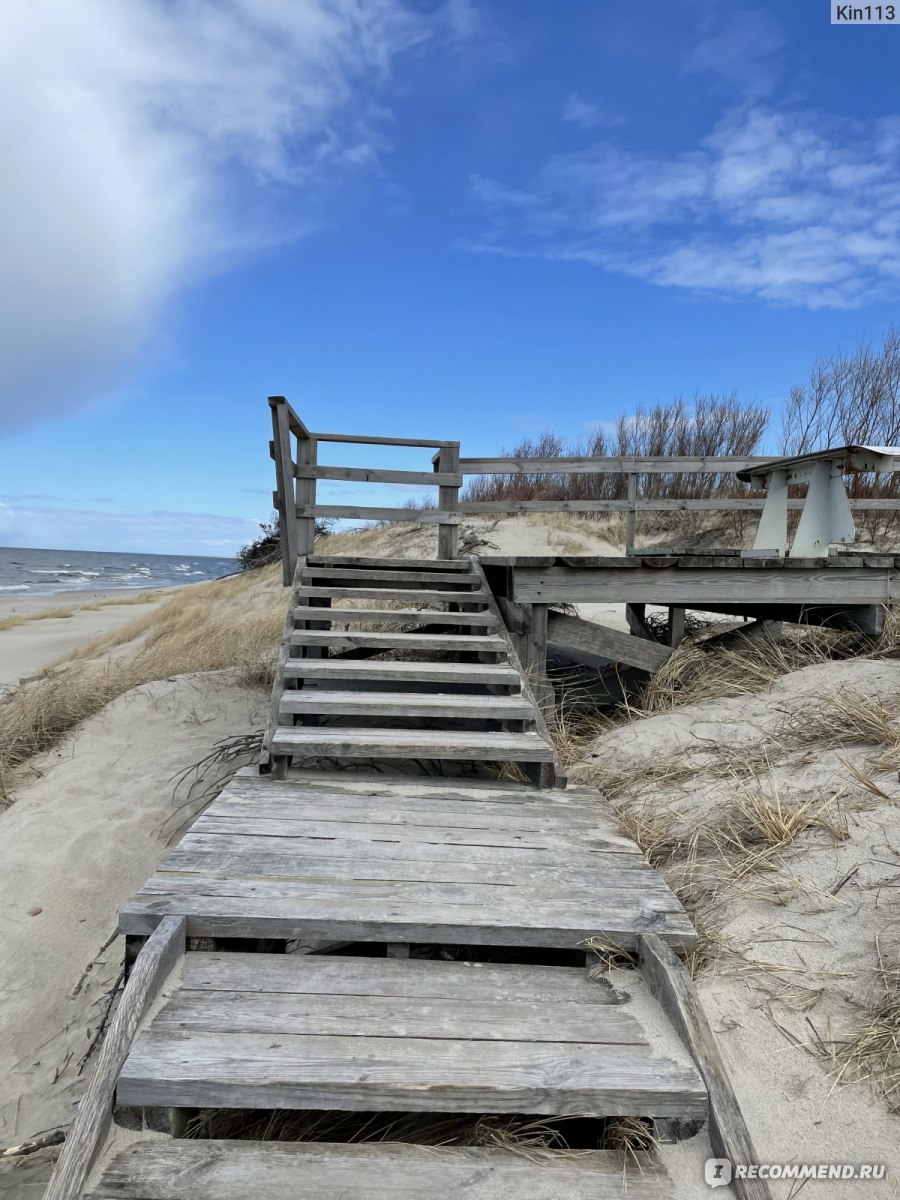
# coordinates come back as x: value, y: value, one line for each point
x: 77, y: 843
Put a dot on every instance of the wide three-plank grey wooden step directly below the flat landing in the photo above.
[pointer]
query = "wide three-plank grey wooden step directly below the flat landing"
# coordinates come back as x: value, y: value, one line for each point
x: 434, y: 1048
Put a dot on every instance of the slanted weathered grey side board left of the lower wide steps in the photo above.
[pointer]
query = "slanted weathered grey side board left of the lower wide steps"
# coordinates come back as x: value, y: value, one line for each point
x: 89, y: 1130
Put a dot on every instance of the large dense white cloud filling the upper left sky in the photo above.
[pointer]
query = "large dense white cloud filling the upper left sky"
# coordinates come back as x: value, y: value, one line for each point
x: 148, y: 143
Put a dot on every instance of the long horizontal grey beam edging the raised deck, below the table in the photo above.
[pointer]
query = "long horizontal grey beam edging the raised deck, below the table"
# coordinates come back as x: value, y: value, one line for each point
x: 692, y: 587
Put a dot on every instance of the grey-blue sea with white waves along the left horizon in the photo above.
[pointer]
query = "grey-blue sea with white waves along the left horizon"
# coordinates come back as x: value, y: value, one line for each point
x: 47, y: 572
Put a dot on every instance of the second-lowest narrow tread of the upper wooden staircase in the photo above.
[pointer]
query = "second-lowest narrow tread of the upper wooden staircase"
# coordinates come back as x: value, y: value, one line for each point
x: 392, y: 704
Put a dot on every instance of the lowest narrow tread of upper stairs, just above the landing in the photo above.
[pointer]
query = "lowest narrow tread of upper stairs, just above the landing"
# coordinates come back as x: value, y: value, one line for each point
x: 460, y: 746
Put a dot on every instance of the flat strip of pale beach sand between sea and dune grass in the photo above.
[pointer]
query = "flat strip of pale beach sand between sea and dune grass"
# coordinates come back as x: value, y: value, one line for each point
x: 28, y: 649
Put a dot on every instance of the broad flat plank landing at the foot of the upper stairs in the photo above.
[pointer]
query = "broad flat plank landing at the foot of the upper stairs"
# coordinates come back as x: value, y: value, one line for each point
x: 344, y: 857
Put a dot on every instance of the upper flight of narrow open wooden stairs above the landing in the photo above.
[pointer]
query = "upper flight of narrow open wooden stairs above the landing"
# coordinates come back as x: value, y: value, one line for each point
x: 399, y: 661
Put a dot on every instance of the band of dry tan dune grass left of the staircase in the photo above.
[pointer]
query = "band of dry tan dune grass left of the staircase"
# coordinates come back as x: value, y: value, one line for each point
x: 231, y: 623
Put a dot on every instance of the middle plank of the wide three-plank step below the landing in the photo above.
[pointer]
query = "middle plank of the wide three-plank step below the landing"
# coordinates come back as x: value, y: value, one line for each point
x: 398, y: 1017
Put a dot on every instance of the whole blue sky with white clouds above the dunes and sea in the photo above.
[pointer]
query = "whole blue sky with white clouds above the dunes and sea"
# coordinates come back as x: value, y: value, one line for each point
x: 451, y: 219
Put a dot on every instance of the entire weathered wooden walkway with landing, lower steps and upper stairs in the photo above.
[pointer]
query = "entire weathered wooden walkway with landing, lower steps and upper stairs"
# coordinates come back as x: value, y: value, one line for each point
x: 394, y: 919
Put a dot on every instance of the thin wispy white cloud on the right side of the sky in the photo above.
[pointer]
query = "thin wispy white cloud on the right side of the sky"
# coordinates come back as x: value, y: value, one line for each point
x: 794, y: 209
